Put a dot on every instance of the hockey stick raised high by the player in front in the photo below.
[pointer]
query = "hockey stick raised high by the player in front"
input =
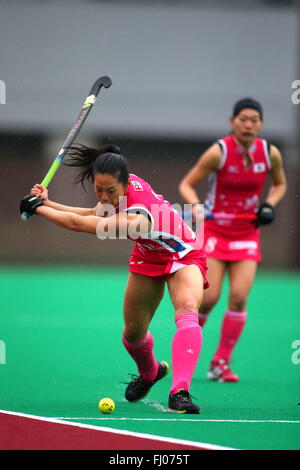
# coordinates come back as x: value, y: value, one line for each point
x: 84, y: 112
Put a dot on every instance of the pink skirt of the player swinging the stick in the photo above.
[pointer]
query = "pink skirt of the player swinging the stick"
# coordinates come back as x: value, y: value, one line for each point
x: 161, y: 271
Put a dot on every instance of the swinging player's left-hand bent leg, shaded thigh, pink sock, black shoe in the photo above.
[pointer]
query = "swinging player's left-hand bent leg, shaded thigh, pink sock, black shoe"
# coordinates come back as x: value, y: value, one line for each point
x: 142, y: 297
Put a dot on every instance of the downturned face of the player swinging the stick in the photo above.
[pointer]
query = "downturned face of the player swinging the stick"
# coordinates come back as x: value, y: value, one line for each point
x: 108, y: 189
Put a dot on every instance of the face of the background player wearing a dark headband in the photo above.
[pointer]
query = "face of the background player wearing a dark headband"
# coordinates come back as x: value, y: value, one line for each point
x: 246, y: 125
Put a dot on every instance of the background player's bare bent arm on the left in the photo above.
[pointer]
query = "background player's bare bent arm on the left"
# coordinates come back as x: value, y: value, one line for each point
x: 209, y: 161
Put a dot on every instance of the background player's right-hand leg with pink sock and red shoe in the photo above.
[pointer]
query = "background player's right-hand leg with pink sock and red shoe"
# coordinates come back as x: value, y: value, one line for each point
x: 241, y: 275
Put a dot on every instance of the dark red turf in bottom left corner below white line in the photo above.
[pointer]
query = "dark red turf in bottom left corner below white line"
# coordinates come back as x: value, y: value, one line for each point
x: 26, y: 433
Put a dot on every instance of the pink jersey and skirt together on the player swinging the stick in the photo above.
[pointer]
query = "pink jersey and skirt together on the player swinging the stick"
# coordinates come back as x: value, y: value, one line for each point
x: 171, y: 244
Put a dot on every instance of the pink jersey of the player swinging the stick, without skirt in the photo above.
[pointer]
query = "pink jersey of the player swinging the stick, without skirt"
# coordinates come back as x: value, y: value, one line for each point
x: 170, y: 238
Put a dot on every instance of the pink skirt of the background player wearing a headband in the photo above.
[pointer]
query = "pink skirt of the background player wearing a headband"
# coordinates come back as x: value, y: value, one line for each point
x: 237, y: 246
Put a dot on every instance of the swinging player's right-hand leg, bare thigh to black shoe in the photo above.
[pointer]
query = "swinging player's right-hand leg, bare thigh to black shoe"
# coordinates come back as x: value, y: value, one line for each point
x: 186, y: 292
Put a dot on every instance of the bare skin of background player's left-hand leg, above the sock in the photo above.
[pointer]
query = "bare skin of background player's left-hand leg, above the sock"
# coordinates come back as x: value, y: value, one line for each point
x: 215, y: 276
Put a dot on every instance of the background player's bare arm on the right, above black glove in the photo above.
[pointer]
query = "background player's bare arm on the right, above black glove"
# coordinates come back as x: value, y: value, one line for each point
x: 279, y: 182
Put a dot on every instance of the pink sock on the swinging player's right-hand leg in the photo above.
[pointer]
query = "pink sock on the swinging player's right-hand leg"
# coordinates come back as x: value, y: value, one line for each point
x: 186, y: 347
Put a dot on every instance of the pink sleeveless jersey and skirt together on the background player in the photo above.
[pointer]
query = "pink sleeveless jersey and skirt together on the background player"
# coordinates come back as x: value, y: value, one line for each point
x: 236, y: 189
